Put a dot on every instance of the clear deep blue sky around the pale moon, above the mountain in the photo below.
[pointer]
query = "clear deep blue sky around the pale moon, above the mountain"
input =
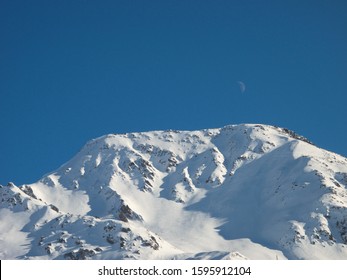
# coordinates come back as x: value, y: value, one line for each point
x: 71, y: 71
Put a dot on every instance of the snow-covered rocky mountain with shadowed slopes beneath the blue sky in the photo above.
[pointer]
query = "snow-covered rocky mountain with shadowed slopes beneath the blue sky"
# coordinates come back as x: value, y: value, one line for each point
x: 239, y: 192
